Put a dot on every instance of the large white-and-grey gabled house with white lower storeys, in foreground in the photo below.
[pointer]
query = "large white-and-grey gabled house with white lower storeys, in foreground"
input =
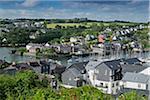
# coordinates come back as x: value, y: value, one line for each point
x: 105, y: 75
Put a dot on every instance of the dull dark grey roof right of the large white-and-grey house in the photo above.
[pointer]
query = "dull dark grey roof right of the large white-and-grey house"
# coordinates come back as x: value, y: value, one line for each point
x: 132, y: 68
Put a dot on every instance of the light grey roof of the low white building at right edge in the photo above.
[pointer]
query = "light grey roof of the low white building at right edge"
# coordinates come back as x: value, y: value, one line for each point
x: 136, y: 77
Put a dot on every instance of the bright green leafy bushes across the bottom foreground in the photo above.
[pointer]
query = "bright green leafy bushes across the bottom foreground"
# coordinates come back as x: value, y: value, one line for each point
x: 26, y: 85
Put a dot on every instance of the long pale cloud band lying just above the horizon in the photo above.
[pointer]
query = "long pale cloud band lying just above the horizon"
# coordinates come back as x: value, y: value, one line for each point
x: 100, y: 14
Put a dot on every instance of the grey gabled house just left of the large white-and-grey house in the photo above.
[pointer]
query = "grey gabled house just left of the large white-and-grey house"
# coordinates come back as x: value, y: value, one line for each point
x: 75, y: 75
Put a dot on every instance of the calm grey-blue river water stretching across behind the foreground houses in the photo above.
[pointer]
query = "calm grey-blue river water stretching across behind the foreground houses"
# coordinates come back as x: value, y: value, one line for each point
x: 6, y: 55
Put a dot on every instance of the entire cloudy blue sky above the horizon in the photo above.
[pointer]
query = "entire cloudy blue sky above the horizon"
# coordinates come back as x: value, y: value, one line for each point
x: 102, y: 10
